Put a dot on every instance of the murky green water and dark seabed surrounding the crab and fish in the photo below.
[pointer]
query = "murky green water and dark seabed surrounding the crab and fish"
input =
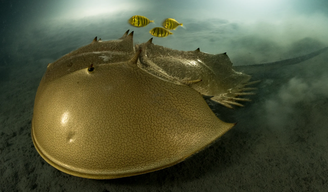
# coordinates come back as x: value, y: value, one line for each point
x: 281, y: 140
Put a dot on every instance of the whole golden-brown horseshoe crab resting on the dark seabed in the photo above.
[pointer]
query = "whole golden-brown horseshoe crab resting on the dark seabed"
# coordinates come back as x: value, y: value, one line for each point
x: 109, y: 109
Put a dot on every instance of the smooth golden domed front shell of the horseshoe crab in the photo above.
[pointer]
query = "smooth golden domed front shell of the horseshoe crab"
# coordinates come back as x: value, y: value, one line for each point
x: 111, y: 120
